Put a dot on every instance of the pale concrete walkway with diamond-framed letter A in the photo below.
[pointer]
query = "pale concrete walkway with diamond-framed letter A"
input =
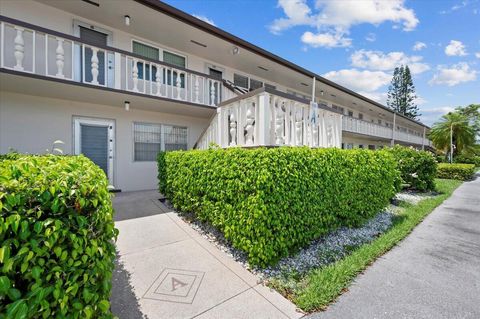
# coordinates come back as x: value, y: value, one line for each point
x: 167, y: 270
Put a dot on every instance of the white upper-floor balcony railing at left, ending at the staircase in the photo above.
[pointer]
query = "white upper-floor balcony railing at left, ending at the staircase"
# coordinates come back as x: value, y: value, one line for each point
x: 36, y: 50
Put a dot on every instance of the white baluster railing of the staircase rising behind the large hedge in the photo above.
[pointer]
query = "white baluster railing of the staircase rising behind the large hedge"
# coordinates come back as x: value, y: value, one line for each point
x: 266, y: 117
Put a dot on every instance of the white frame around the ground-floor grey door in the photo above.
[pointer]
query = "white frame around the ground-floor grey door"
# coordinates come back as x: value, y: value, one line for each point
x: 78, y: 121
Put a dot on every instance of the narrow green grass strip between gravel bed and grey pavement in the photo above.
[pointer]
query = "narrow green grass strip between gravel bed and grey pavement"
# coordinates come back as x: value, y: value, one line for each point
x: 318, y: 288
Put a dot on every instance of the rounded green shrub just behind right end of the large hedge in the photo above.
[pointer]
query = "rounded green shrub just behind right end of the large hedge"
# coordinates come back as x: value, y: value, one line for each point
x: 417, y: 168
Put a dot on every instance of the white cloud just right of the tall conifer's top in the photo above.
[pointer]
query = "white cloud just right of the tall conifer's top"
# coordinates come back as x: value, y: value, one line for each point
x: 451, y: 76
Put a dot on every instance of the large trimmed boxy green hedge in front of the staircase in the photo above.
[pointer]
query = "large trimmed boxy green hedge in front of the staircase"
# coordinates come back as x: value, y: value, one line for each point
x: 268, y: 202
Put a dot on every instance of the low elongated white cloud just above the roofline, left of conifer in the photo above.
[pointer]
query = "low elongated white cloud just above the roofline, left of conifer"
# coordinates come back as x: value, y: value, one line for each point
x: 359, y: 80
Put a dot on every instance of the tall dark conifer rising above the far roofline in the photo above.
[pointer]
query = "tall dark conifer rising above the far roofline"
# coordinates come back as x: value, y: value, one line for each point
x: 401, y: 93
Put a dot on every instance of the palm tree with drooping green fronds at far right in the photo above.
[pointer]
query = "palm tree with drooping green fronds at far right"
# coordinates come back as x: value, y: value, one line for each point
x: 453, y: 134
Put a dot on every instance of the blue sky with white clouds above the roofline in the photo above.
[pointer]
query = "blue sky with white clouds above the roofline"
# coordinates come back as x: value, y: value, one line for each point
x: 358, y: 43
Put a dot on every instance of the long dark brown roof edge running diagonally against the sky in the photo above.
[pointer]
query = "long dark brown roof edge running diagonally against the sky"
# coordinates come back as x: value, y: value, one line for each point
x: 204, y: 26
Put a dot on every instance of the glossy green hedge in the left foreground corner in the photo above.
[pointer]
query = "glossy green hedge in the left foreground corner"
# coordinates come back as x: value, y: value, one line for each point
x: 56, y: 238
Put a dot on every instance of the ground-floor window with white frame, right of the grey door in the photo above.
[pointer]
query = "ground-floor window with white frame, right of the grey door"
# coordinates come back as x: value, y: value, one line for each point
x: 149, y: 139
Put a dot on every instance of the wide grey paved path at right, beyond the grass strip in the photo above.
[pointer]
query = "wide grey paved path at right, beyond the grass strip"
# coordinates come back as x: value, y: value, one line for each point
x: 433, y: 273
